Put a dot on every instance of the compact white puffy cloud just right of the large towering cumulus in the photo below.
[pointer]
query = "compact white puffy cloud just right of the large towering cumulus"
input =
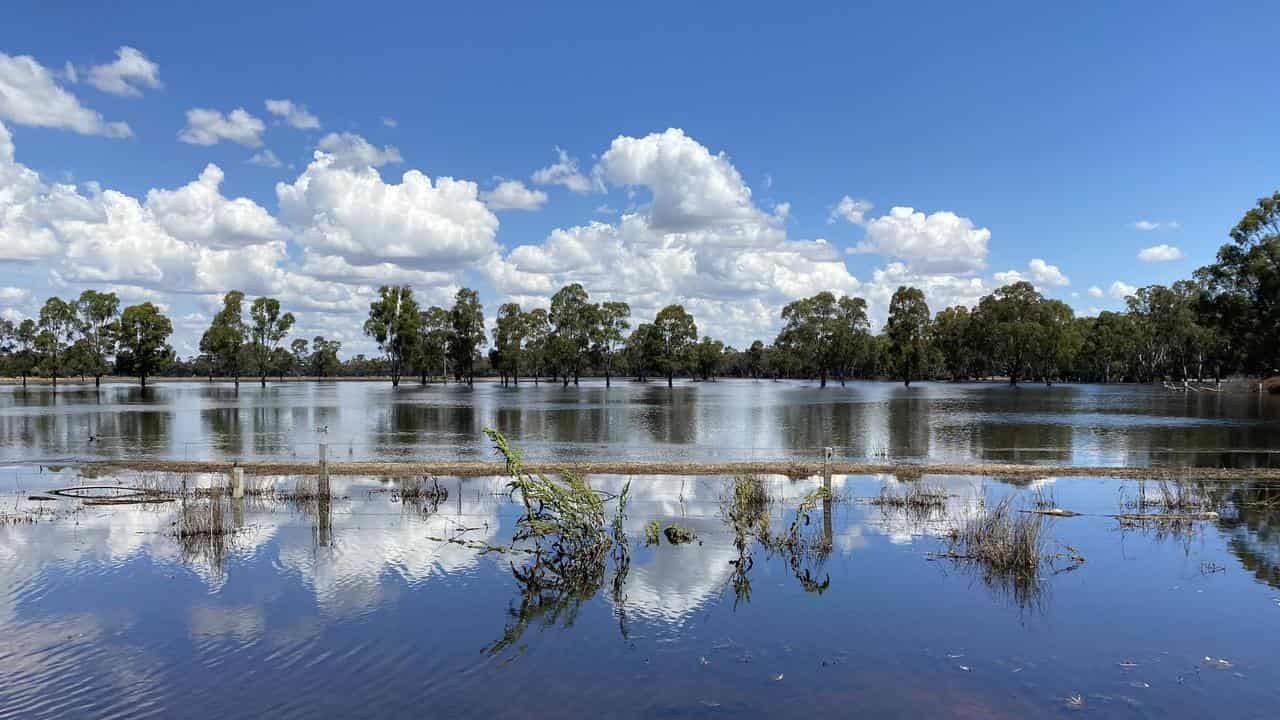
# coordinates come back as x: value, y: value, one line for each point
x: 941, y: 243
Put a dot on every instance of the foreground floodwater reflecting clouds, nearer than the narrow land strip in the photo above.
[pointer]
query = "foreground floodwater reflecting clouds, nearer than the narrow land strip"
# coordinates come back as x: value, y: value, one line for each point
x: 367, y: 609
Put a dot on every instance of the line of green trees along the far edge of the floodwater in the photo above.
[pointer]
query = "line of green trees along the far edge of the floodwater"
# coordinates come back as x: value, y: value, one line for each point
x: 1223, y: 321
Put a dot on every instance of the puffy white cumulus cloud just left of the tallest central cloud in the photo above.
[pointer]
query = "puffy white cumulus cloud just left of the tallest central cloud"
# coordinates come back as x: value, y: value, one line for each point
x: 342, y: 207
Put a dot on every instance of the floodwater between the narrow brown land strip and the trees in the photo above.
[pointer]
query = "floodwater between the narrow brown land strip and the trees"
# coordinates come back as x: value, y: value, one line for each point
x: 694, y: 422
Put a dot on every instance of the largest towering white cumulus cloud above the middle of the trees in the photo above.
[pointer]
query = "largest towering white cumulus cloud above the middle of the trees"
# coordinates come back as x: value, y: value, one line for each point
x: 701, y: 241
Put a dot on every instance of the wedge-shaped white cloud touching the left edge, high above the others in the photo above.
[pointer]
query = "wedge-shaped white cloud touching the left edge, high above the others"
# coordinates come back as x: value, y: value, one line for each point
x: 30, y: 95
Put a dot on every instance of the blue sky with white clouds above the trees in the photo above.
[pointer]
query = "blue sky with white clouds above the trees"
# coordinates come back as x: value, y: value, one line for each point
x: 728, y: 157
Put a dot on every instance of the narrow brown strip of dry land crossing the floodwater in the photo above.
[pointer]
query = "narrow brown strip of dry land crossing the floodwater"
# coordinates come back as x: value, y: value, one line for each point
x: 660, y: 468
